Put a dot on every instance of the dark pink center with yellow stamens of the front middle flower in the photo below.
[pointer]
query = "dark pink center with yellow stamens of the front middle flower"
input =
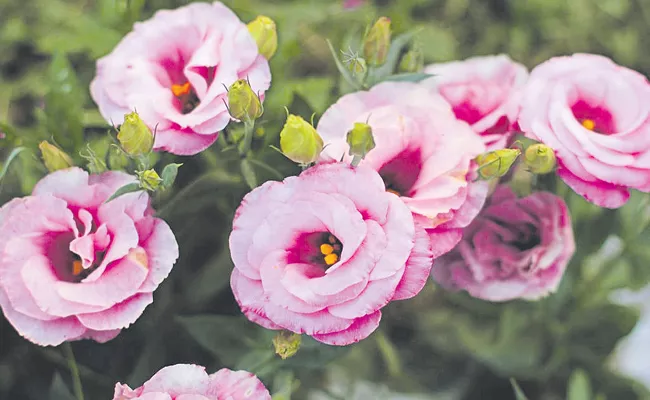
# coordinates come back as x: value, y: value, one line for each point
x: 318, y: 248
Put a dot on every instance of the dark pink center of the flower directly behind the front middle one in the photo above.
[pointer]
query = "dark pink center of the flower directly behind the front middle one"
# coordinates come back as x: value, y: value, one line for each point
x: 401, y: 173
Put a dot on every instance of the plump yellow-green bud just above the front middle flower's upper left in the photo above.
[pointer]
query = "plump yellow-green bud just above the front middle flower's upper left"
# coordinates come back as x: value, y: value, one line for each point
x: 299, y: 141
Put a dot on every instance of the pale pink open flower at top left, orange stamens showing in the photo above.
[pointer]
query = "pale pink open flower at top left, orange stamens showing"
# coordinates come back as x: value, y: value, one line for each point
x: 172, y: 70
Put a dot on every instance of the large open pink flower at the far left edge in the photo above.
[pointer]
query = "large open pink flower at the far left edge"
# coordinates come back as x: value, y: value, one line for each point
x: 74, y: 267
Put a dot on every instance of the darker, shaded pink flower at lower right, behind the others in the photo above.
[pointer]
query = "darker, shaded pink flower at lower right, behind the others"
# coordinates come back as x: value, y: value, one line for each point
x: 516, y: 248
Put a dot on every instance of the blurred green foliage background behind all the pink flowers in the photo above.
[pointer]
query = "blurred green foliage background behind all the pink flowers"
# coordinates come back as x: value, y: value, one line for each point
x: 436, y: 346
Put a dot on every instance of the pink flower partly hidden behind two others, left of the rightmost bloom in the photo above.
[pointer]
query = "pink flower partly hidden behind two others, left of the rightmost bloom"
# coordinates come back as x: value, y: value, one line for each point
x: 483, y: 92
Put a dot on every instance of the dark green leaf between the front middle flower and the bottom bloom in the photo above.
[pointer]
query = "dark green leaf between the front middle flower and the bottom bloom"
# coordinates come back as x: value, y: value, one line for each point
x: 226, y: 337
